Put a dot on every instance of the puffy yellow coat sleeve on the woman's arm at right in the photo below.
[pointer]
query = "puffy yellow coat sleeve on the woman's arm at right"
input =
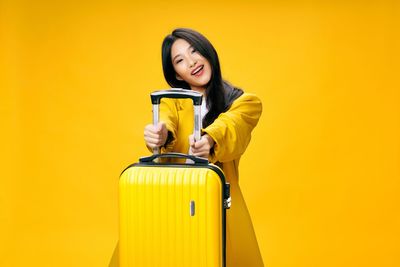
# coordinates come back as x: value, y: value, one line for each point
x: 231, y: 131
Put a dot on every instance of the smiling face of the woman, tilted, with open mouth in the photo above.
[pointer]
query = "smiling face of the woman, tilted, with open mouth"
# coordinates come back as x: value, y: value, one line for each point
x: 190, y: 65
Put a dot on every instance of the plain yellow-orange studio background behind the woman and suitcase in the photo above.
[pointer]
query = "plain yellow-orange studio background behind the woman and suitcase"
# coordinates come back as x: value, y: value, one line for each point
x: 321, y: 176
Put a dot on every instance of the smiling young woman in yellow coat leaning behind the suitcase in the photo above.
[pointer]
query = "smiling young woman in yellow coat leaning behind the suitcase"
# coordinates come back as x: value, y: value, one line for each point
x: 190, y: 61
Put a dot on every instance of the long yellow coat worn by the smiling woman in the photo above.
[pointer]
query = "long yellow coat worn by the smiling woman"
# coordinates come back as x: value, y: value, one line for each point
x: 231, y: 132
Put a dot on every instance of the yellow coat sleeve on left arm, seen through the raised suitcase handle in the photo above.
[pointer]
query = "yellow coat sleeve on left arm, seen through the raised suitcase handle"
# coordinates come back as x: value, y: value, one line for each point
x: 169, y: 115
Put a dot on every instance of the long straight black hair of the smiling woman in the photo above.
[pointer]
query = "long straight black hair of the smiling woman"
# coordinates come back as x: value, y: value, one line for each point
x: 220, y: 94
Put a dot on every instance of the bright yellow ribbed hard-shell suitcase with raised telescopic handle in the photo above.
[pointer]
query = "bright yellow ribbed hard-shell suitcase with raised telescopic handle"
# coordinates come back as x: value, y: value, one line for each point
x: 173, y: 214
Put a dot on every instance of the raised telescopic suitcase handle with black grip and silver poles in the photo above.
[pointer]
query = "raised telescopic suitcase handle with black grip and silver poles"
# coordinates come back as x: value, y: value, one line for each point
x: 178, y: 93
